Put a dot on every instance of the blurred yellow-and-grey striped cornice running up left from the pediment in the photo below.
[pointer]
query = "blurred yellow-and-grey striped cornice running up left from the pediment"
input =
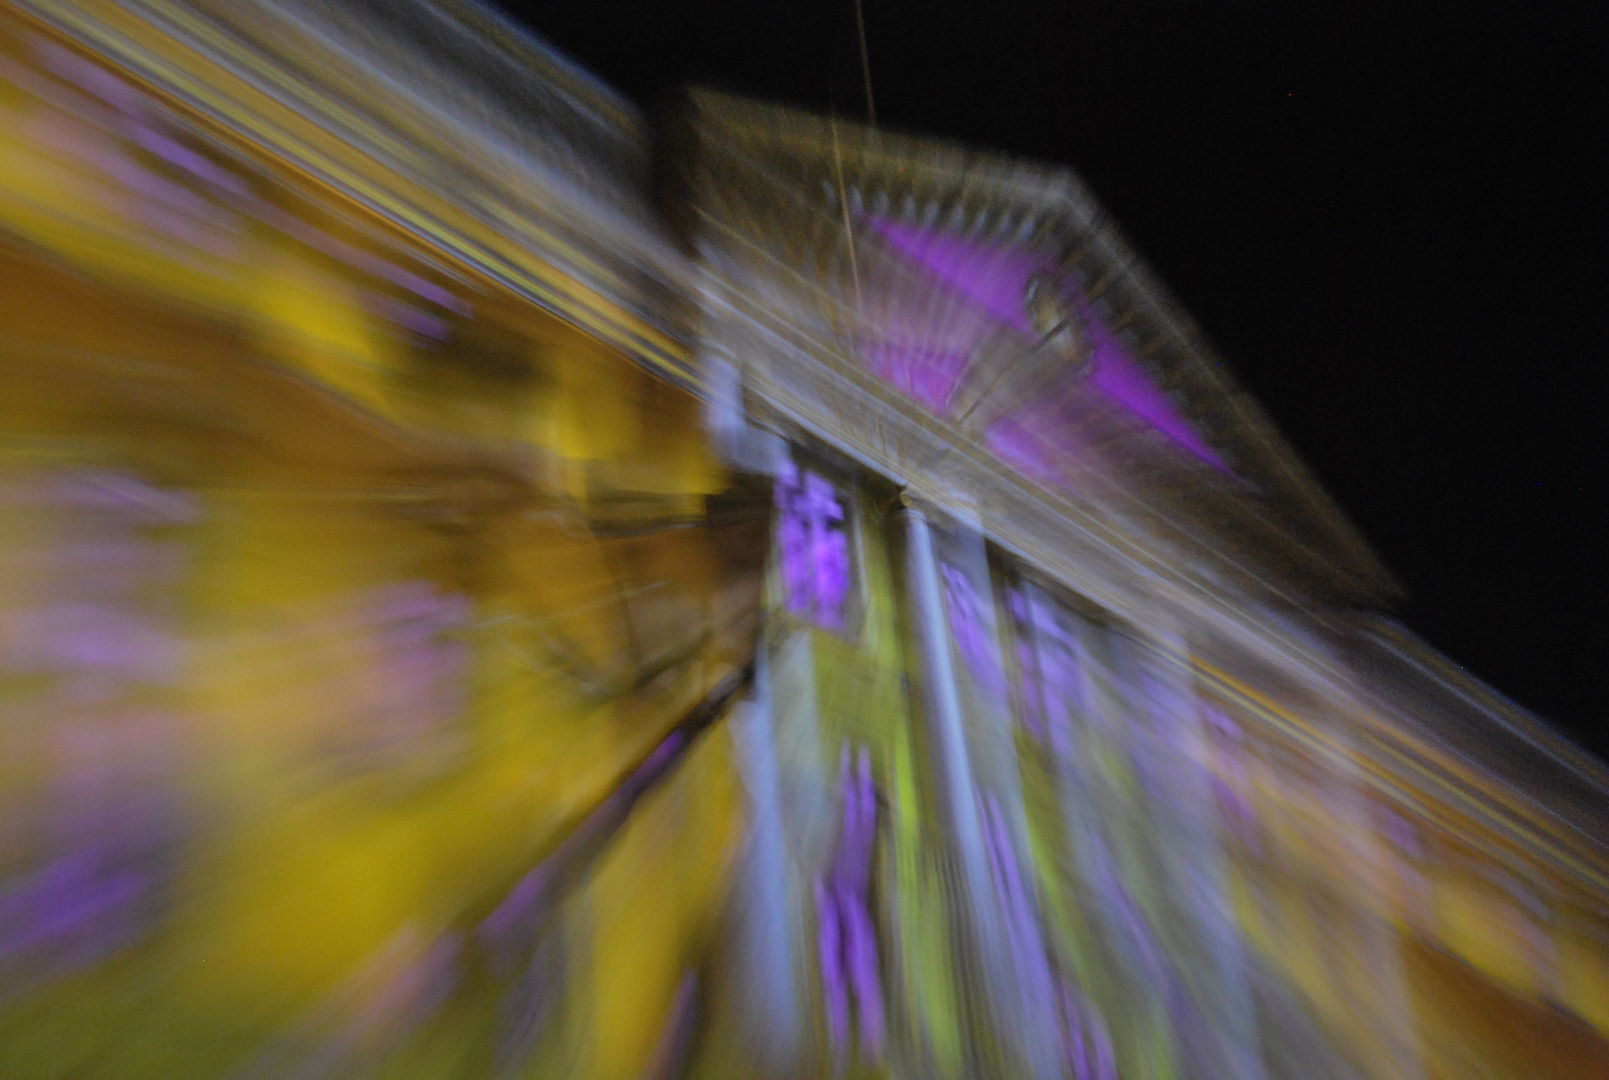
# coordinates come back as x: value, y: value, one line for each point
x: 366, y: 118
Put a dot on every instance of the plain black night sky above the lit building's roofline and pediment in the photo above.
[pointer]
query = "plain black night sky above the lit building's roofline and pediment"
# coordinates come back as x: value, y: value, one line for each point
x: 1389, y: 218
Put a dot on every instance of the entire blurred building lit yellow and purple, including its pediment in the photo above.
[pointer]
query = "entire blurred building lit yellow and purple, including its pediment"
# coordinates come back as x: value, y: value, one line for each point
x: 488, y: 601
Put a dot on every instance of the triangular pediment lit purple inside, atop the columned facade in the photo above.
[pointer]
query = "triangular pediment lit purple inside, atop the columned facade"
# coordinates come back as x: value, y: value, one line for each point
x: 1000, y: 300
